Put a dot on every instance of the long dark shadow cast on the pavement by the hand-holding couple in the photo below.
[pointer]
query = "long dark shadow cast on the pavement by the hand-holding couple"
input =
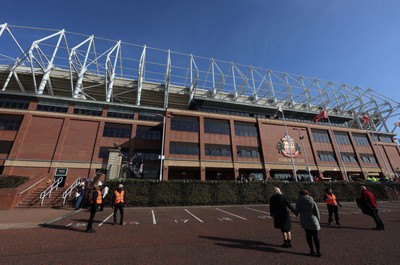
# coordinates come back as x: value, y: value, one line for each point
x: 252, y: 245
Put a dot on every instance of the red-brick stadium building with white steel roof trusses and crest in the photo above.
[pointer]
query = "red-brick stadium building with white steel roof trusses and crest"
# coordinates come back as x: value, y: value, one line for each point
x: 72, y: 105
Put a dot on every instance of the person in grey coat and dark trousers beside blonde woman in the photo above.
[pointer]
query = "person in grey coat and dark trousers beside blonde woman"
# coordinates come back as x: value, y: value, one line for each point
x: 309, y: 220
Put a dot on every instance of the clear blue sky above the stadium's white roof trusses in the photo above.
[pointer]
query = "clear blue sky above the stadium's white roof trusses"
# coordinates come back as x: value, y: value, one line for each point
x: 352, y: 41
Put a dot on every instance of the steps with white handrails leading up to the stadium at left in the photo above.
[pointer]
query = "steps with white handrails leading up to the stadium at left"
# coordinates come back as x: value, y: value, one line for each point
x: 55, y: 200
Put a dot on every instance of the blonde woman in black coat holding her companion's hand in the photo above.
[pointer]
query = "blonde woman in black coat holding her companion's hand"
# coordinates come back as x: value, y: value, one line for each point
x: 278, y: 205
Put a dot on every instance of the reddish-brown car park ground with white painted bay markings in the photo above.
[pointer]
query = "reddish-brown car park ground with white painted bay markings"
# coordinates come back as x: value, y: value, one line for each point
x: 195, y: 235
